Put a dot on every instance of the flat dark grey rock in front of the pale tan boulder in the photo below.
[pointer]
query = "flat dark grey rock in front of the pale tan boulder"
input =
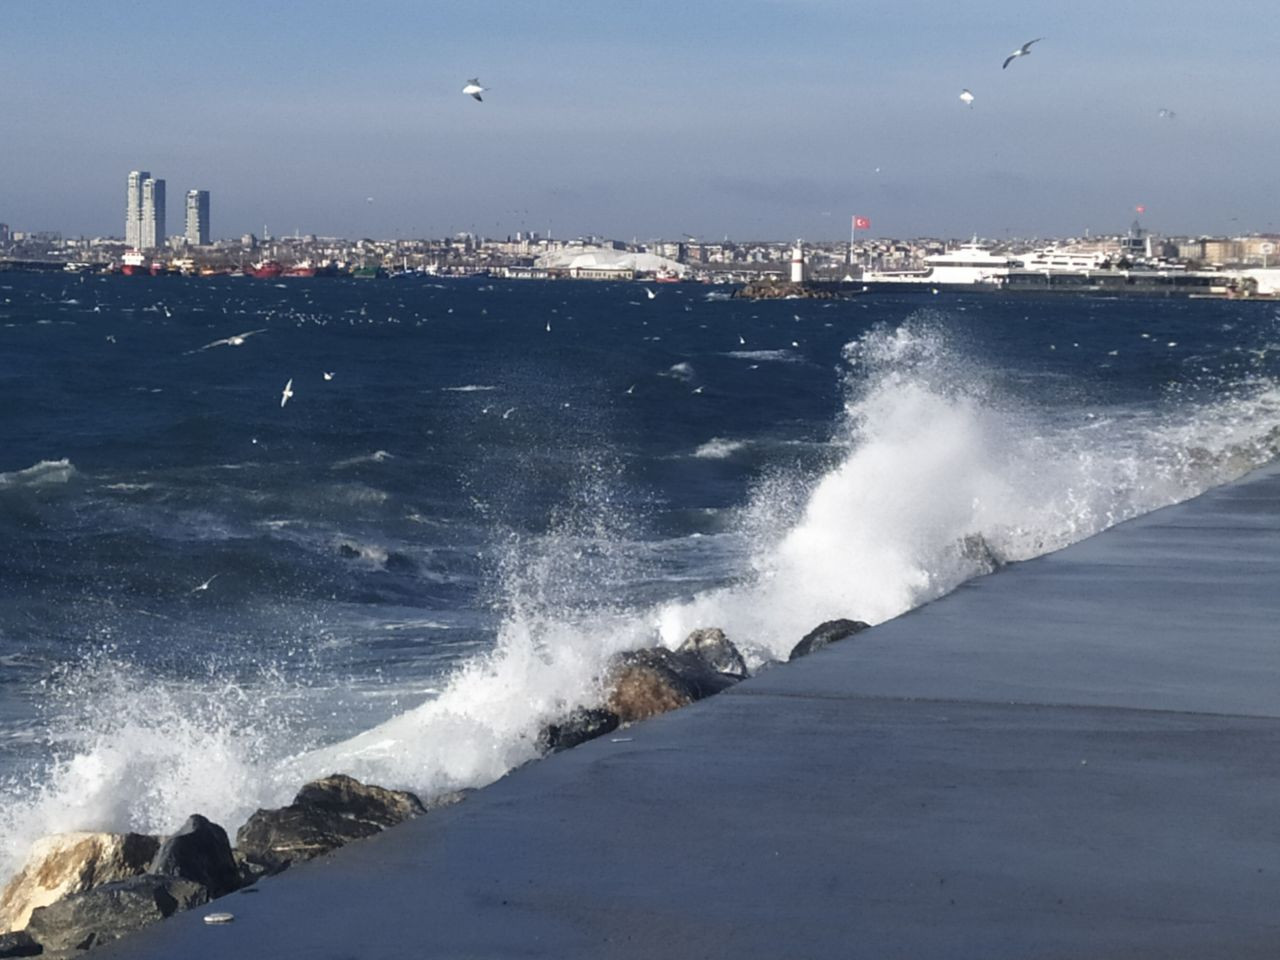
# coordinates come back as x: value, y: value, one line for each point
x: 111, y: 912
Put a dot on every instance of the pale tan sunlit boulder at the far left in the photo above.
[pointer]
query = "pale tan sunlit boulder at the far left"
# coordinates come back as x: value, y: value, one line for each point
x: 71, y: 863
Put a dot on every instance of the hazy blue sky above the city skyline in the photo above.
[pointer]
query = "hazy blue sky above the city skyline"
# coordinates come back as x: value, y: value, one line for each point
x: 751, y: 118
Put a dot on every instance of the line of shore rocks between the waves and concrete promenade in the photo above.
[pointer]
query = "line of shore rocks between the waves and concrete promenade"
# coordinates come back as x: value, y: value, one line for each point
x: 81, y: 890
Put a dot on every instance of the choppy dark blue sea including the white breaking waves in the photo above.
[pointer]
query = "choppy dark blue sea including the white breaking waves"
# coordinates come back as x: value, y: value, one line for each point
x: 479, y: 491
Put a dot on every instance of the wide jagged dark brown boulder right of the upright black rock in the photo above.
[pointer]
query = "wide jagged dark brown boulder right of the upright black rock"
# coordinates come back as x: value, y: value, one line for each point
x: 324, y: 816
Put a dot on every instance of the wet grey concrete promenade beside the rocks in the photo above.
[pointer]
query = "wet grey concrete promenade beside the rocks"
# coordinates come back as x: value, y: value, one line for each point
x: 1077, y: 757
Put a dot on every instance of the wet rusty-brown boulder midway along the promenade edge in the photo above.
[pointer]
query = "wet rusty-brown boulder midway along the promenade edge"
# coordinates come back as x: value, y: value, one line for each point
x: 647, y: 683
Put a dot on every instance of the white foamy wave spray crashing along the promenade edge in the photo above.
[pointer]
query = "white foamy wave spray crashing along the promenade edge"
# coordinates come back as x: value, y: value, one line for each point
x: 929, y: 456
